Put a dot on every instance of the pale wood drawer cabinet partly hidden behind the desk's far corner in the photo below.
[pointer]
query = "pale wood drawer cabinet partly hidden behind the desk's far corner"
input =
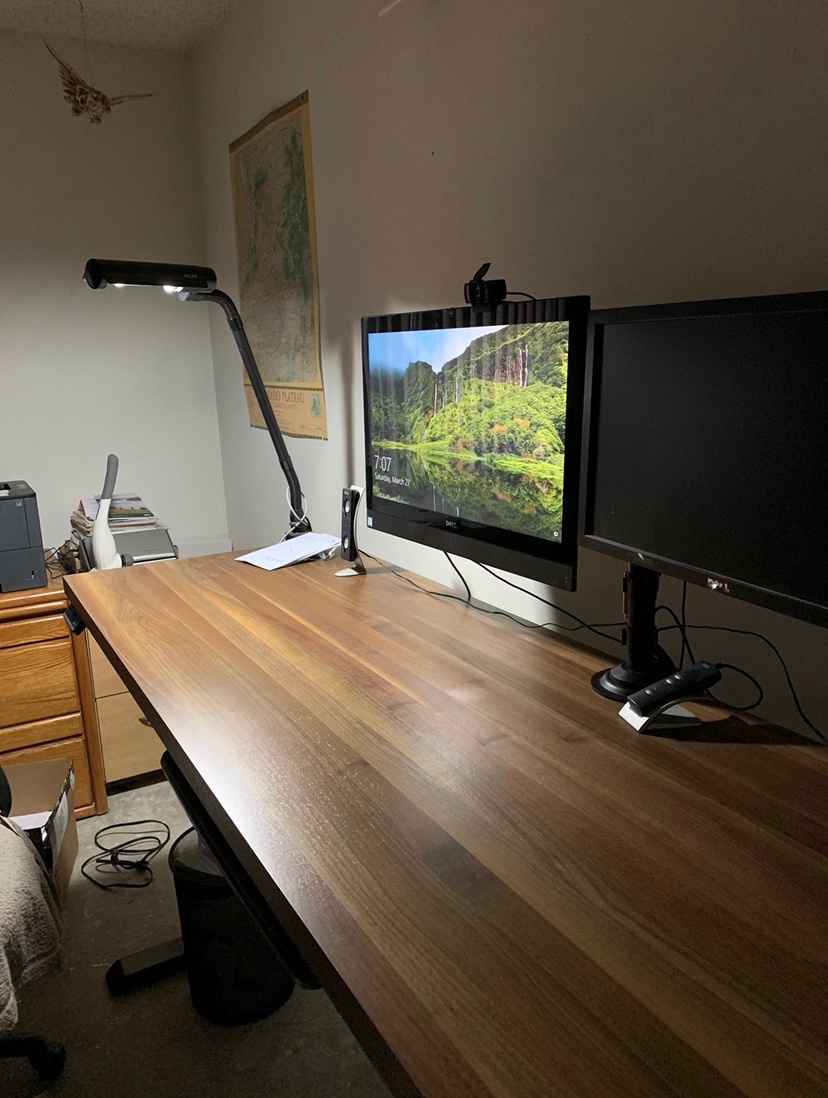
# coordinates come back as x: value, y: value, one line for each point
x: 131, y: 748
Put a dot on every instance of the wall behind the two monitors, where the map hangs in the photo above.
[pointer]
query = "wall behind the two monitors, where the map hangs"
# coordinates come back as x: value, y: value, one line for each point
x: 637, y: 153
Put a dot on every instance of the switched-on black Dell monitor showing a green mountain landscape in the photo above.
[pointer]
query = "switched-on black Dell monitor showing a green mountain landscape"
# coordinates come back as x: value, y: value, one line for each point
x: 474, y: 432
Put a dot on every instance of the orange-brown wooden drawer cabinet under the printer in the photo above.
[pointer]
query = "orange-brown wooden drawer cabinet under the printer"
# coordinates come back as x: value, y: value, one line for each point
x: 47, y: 704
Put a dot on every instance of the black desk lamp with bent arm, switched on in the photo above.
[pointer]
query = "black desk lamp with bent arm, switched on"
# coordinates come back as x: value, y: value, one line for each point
x: 198, y: 284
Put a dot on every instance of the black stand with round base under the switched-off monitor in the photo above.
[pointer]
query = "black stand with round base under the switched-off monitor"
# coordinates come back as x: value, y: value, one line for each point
x: 646, y: 662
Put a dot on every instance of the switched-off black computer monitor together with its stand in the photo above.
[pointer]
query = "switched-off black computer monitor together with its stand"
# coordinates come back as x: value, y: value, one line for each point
x: 706, y: 455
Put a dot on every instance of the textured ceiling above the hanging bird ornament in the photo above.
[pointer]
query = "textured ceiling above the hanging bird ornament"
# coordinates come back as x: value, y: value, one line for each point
x: 176, y: 26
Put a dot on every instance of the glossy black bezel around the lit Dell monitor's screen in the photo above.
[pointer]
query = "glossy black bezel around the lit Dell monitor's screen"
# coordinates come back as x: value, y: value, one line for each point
x: 553, y: 563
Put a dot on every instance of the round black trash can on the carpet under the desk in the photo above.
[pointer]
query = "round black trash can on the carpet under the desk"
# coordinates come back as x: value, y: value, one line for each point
x: 234, y: 973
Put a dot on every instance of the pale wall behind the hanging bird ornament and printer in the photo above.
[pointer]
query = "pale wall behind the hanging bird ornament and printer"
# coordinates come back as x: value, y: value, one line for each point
x: 86, y: 374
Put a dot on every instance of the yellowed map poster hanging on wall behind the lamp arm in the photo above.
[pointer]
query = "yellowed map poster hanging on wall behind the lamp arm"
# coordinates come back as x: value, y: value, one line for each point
x: 276, y: 242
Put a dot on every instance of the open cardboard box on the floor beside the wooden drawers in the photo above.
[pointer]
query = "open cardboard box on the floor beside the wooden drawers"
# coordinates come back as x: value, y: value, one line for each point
x: 43, y: 806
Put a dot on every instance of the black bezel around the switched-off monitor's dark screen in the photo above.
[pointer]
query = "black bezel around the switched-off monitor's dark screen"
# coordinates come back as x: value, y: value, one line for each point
x: 816, y: 301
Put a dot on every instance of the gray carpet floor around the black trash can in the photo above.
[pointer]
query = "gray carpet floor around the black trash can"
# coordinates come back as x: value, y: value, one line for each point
x: 152, y: 1043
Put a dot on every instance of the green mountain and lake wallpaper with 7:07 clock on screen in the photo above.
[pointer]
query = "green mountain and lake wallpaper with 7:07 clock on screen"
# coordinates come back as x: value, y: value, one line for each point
x: 471, y: 423
